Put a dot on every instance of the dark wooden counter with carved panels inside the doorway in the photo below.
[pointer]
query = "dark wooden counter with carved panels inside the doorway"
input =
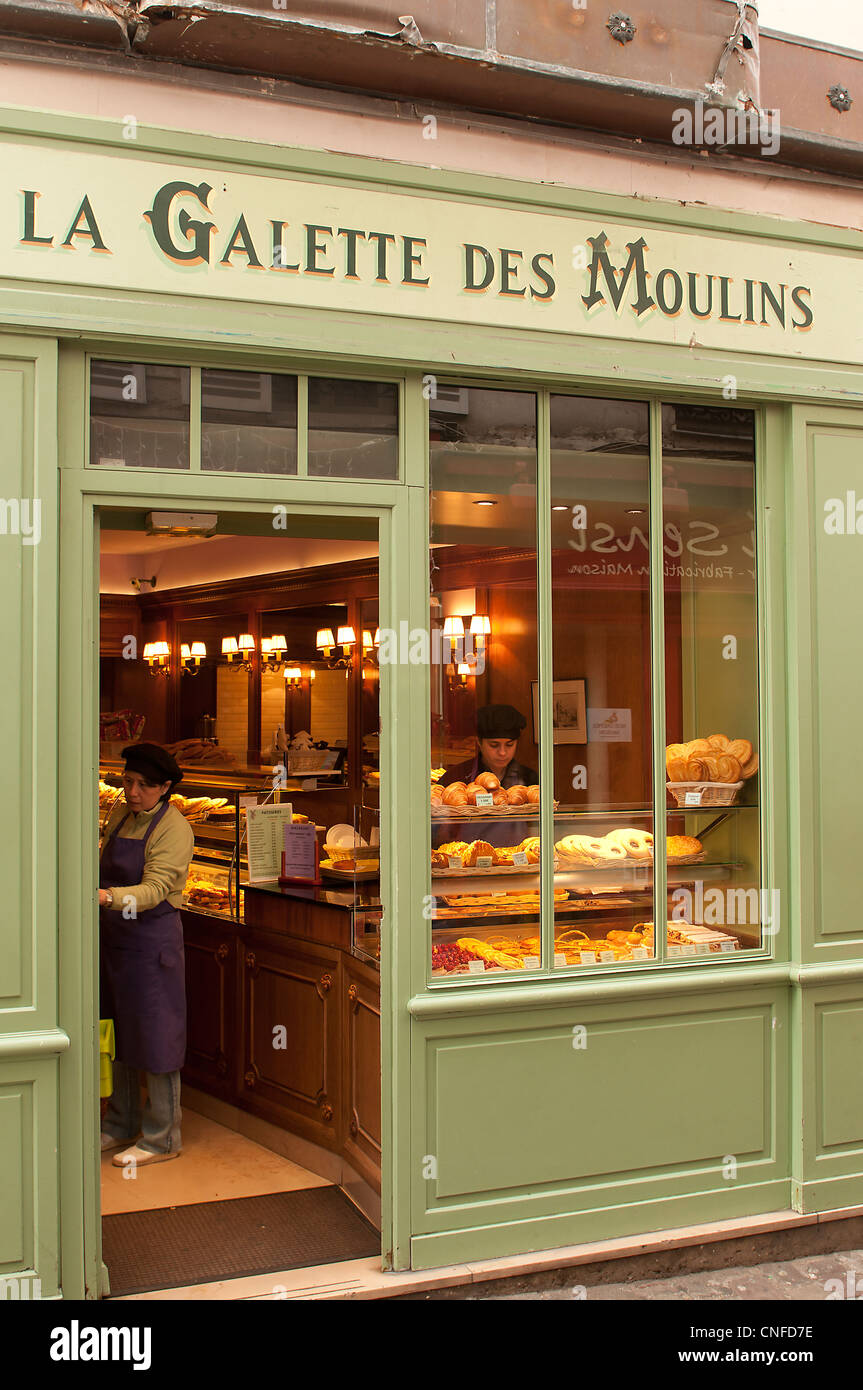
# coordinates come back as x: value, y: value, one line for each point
x: 286, y: 1018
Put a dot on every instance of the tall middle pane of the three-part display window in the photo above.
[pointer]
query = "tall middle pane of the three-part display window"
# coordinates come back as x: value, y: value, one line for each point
x: 601, y: 694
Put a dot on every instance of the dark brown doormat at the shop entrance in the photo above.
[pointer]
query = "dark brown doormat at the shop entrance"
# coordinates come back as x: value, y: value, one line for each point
x: 198, y: 1245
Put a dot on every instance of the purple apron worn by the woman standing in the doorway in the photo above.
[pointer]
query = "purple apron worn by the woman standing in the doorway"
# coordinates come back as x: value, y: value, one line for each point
x: 144, y: 982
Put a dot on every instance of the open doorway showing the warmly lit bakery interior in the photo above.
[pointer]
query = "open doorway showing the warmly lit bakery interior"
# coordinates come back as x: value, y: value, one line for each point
x: 251, y: 660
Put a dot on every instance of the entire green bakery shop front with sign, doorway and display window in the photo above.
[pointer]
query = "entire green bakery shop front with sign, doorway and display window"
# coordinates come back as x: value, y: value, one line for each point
x: 507, y: 536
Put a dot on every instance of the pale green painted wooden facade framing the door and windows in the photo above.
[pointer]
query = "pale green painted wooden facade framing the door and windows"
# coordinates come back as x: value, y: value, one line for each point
x: 754, y: 1060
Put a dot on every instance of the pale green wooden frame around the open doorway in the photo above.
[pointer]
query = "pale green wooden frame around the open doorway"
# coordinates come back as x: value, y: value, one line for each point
x: 401, y: 515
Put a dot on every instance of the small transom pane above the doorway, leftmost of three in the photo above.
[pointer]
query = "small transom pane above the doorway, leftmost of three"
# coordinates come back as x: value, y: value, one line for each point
x: 140, y: 416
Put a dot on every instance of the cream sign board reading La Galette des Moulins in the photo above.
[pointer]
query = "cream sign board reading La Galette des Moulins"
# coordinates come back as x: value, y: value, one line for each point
x: 91, y: 218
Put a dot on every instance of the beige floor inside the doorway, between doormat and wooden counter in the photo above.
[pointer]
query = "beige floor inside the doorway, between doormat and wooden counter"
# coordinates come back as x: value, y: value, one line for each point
x: 216, y: 1166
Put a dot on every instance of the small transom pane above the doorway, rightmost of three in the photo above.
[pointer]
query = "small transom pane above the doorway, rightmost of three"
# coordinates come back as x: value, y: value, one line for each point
x: 354, y: 429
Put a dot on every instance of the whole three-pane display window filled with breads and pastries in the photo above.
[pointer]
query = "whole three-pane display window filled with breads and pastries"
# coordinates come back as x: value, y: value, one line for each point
x: 548, y: 810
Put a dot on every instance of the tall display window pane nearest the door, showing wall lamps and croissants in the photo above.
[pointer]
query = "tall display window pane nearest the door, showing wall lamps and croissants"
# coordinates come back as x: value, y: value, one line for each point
x: 486, y: 801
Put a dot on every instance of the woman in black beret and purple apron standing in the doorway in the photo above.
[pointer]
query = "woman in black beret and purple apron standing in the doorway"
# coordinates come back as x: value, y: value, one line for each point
x: 144, y: 868
